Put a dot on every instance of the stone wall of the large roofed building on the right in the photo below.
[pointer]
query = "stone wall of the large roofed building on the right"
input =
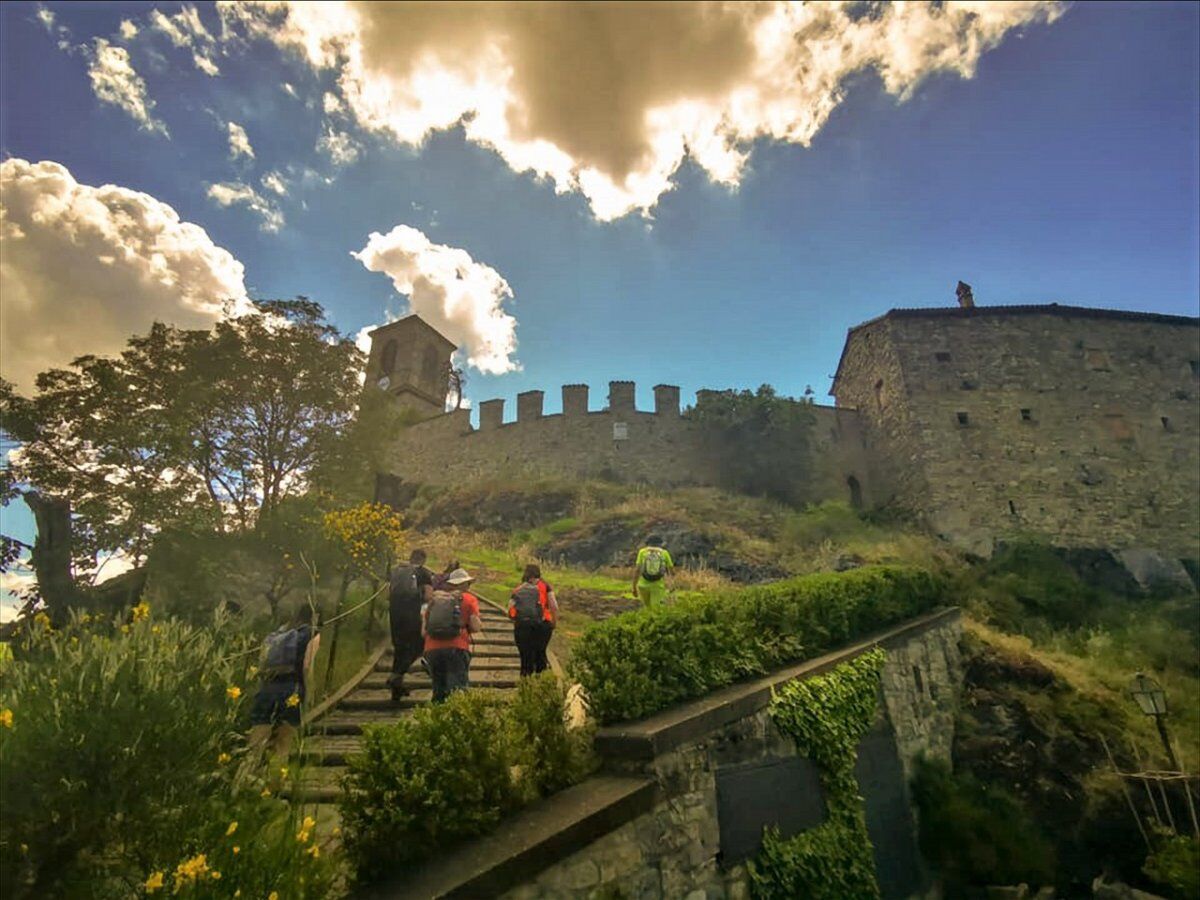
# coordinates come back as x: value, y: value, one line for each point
x: 1079, y: 427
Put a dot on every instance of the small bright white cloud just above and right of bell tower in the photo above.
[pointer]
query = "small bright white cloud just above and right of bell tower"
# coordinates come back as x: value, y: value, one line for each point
x: 459, y: 297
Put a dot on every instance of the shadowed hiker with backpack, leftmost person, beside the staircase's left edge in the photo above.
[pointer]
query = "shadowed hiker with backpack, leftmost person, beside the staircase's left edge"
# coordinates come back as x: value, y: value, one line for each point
x: 275, y: 712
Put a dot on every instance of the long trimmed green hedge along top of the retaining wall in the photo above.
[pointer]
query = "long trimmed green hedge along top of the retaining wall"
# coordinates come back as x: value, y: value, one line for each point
x: 644, y: 662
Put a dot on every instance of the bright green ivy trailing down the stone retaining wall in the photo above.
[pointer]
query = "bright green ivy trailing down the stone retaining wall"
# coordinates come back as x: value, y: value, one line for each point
x: 827, y: 717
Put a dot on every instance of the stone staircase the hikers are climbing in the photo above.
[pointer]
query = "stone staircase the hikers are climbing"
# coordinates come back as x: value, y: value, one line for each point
x: 338, y: 735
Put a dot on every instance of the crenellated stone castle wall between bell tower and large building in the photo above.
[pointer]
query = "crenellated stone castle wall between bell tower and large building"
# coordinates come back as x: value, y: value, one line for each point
x: 662, y: 448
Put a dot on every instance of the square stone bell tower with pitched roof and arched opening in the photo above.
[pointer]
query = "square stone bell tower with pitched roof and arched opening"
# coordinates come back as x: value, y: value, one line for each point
x: 411, y: 361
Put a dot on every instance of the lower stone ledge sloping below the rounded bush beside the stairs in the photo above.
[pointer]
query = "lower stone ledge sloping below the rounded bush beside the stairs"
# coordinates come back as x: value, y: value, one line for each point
x: 527, y: 843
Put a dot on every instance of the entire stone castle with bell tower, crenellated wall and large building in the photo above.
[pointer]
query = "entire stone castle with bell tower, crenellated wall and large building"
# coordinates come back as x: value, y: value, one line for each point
x: 1076, y: 425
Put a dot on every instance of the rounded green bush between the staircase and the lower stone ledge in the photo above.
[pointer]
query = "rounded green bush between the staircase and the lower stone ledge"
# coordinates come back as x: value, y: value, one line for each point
x: 453, y: 772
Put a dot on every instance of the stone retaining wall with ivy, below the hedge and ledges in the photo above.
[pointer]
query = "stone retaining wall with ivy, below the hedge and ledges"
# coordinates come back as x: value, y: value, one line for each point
x: 675, y: 849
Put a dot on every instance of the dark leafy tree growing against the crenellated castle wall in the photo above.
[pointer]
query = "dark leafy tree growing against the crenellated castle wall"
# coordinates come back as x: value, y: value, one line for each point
x: 758, y: 439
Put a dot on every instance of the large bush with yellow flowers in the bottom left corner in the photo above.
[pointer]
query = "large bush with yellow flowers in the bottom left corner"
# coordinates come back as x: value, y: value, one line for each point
x: 119, y: 761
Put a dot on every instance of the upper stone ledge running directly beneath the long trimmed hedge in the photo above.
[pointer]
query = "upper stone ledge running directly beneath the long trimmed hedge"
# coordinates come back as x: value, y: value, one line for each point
x: 647, y: 739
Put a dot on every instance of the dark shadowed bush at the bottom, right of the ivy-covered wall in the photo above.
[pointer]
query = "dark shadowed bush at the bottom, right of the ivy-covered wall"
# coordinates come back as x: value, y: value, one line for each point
x: 976, y: 835
